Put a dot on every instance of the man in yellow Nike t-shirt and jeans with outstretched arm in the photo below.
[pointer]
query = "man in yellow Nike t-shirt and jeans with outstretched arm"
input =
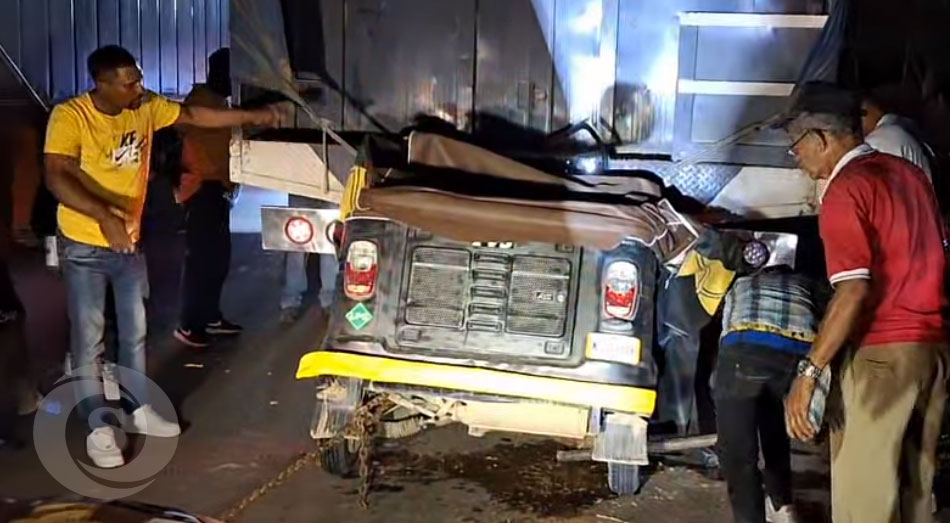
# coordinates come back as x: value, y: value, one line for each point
x: 97, y: 160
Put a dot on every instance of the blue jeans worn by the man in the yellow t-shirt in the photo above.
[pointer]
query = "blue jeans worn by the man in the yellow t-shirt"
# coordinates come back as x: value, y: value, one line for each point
x: 88, y: 271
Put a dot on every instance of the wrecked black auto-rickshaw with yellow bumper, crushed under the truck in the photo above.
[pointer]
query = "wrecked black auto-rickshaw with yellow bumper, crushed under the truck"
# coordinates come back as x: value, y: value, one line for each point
x: 479, y: 290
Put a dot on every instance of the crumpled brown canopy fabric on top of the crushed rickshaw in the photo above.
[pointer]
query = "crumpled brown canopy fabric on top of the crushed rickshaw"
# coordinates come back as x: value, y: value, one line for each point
x: 465, y: 193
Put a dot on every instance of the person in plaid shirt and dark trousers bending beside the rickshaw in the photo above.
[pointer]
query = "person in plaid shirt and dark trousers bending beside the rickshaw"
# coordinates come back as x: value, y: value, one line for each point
x: 769, y: 322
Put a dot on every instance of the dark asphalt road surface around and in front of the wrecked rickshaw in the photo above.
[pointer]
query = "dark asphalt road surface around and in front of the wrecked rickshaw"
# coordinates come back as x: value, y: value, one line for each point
x: 246, y: 421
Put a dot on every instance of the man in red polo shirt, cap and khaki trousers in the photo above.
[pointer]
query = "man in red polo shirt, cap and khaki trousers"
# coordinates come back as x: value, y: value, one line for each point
x: 884, y: 251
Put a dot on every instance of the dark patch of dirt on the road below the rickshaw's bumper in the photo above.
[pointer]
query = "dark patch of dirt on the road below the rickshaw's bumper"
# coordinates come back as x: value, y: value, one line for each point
x: 524, y: 477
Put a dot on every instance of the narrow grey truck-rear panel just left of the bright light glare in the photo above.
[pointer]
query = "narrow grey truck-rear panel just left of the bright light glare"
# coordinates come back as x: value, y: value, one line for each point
x: 515, y: 73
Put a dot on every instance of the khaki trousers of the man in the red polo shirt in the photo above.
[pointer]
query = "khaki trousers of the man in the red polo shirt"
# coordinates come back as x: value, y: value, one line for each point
x: 883, y: 455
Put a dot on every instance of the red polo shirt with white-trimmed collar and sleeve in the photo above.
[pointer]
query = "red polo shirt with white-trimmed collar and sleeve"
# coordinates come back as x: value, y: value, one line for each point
x: 879, y: 221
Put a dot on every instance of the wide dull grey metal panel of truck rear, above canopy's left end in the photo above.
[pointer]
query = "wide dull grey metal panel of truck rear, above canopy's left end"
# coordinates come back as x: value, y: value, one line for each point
x: 406, y: 57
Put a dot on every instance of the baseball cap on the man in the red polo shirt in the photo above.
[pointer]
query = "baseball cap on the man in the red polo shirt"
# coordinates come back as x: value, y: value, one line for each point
x: 819, y: 105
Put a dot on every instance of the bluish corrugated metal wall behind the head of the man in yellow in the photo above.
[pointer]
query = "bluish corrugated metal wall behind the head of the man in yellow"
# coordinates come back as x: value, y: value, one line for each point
x: 50, y: 40
